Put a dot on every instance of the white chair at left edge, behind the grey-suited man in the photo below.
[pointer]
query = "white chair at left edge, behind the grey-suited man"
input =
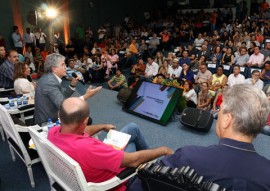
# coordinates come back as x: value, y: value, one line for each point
x: 16, y: 139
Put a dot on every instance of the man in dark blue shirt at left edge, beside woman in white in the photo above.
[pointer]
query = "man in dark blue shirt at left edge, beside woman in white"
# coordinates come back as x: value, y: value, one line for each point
x: 7, y: 70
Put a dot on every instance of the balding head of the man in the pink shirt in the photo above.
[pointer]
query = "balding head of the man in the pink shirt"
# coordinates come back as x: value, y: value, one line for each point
x: 73, y: 111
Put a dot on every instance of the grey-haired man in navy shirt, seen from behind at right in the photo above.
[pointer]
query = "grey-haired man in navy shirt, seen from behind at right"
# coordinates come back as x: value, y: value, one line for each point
x: 236, y: 130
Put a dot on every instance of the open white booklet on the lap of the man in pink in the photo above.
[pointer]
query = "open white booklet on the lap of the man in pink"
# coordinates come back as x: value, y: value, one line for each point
x: 118, y: 140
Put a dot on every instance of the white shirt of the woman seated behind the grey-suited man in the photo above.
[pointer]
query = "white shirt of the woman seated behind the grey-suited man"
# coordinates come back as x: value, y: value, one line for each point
x: 22, y: 86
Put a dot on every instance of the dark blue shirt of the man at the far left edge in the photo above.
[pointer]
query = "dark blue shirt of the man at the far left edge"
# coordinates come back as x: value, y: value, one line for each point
x: 6, y: 74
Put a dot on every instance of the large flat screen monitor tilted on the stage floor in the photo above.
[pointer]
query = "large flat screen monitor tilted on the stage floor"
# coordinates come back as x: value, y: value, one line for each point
x: 153, y: 101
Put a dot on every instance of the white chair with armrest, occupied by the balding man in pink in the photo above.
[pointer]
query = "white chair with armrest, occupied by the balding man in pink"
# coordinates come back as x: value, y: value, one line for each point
x: 63, y: 171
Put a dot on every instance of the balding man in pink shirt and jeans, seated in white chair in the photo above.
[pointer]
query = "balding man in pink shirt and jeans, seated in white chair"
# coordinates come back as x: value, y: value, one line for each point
x: 99, y: 162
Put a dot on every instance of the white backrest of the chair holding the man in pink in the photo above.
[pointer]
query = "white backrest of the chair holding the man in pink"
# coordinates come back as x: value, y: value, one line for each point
x: 59, y: 166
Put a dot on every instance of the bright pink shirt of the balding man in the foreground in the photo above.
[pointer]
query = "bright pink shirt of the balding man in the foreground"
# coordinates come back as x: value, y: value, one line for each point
x: 99, y: 162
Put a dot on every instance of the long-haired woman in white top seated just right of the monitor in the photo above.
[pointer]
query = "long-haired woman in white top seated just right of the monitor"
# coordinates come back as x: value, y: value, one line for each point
x: 190, y: 94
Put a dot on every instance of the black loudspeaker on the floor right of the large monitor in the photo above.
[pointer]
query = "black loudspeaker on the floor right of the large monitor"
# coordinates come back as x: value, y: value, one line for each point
x: 197, y: 119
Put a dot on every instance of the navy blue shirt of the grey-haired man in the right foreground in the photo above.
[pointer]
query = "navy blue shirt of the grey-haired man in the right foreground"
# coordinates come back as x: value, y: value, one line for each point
x: 232, y: 164
